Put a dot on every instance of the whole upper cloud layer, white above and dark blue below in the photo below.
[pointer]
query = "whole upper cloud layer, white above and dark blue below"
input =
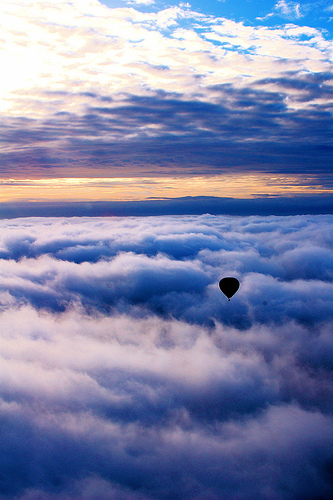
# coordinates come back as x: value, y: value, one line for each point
x: 125, y: 92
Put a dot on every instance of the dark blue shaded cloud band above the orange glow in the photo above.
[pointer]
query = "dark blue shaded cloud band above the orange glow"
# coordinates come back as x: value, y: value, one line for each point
x: 162, y: 134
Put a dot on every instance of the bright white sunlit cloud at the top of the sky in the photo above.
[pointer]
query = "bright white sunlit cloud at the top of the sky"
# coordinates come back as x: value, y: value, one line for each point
x: 87, y: 47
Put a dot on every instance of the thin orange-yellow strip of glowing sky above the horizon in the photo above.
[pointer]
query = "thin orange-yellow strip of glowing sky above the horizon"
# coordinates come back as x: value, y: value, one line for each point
x: 246, y: 185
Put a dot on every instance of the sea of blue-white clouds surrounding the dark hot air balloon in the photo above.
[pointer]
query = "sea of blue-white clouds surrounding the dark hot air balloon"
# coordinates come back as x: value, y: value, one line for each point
x: 127, y: 375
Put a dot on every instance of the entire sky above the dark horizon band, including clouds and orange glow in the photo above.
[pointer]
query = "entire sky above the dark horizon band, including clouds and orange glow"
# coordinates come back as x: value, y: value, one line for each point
x: 124, y: 101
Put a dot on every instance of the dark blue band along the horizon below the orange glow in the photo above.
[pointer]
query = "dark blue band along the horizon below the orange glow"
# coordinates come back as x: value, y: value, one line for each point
x: 187, y: 205
